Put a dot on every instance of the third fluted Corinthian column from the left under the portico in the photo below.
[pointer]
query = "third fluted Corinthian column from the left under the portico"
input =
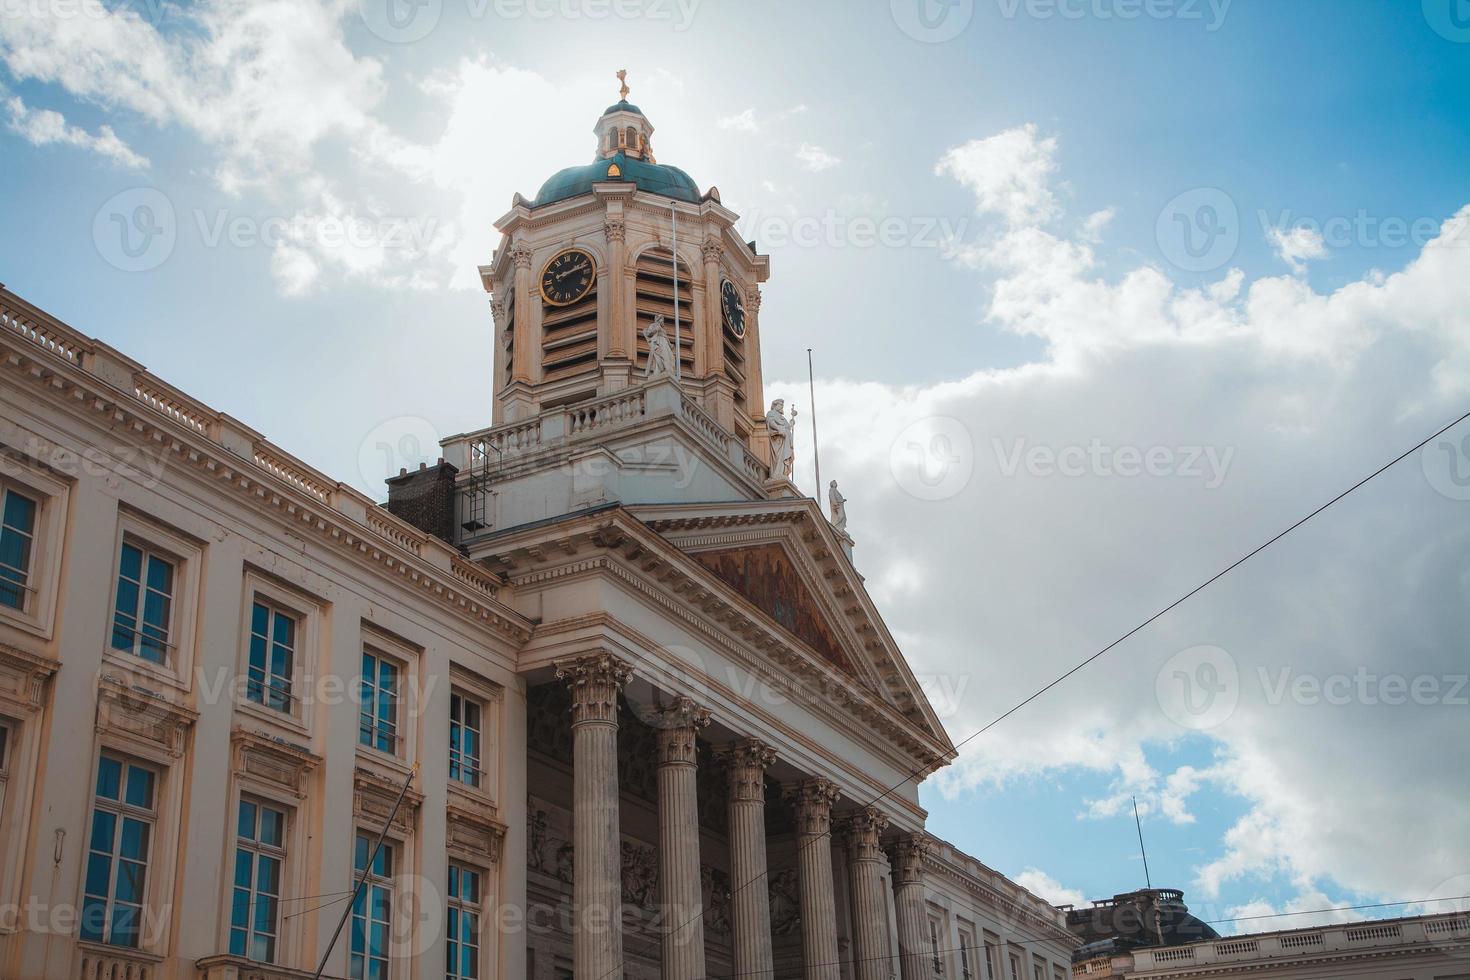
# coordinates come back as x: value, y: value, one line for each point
x: 750, y: 901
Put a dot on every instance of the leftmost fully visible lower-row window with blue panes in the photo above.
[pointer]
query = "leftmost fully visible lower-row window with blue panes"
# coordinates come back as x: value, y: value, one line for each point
x: 118, y: 853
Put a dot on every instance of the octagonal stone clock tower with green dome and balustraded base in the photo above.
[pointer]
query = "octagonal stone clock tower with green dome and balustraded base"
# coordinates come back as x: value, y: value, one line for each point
x: 627, y: 339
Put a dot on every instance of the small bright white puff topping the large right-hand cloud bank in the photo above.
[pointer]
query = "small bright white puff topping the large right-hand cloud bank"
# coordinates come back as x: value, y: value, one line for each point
x: 1009, y: 174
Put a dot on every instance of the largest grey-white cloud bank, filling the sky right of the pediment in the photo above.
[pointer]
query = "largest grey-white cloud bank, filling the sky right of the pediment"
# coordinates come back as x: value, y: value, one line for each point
x: 1027, y: 574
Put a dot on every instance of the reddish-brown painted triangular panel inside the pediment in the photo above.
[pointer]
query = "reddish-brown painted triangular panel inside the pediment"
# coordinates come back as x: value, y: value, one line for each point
x: 770, y: 580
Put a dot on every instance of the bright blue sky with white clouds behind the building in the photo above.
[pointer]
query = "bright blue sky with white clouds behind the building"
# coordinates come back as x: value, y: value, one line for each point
x: 1036, y: 167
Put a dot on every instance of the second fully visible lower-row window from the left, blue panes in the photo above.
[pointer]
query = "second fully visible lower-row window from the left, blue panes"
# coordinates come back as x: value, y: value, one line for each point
x: 255, y: 910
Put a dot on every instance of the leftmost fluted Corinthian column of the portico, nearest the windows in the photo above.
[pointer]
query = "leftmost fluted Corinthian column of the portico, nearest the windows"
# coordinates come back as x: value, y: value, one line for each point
x: 598, y: 938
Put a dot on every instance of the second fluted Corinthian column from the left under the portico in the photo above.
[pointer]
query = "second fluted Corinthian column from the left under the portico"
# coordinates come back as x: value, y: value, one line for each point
x: 680, y: 841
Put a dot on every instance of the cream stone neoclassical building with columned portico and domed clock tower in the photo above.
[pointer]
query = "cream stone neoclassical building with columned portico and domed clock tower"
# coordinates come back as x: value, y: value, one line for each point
x: 599, y: 696
